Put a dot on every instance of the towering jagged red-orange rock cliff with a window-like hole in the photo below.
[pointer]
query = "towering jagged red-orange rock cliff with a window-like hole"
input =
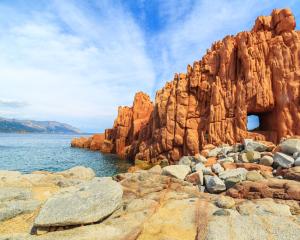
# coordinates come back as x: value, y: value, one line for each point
x: 256, y: 72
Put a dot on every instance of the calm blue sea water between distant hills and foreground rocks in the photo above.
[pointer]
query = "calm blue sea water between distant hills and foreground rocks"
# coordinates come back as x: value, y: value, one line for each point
x: 52, y: 152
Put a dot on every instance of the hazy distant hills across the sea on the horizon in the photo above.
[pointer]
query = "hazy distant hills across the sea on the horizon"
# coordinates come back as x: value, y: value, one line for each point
x: 31, y: 126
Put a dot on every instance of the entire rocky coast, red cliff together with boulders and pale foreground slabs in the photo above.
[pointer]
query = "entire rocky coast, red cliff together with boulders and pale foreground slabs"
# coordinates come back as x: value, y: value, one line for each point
x: 199, y: 174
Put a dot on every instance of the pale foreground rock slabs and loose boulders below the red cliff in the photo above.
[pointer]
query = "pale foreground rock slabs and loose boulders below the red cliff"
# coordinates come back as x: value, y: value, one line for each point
x: 243, y: 191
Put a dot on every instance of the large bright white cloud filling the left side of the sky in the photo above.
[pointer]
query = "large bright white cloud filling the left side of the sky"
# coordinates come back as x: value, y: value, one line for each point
x: 83, y: 72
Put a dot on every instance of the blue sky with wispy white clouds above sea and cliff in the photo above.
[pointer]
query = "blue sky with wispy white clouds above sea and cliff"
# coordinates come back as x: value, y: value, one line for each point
x: 76, y: 61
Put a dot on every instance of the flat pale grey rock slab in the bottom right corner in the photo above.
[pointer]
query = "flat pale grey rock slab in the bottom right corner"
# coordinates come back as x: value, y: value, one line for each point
x: 236, y: 226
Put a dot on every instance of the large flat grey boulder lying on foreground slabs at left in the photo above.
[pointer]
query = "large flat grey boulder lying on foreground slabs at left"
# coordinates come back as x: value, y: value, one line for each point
x: 86, y: 203
